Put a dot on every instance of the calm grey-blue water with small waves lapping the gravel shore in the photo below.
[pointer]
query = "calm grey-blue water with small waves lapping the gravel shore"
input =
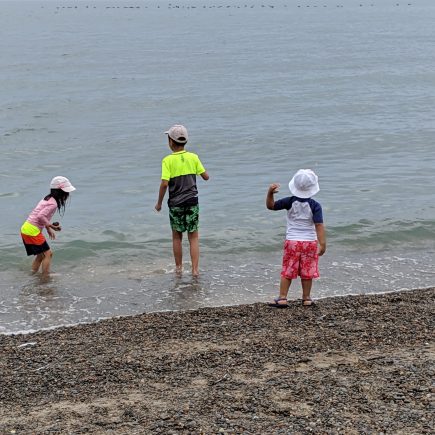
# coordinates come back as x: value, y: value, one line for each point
x: 88, y: 88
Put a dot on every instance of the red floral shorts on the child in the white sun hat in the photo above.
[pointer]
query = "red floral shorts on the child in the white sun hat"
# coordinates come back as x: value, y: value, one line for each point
x: 300, y: 259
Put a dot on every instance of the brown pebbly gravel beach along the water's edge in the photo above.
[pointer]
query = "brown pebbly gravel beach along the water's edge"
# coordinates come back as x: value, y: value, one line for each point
x: 357, y: 364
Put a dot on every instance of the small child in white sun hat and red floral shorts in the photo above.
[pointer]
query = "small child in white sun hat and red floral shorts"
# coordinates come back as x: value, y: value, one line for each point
x: 305, y: 235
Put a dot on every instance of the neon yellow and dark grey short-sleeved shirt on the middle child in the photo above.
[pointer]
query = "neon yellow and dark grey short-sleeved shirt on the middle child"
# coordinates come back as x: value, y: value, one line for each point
x: 180, y: 169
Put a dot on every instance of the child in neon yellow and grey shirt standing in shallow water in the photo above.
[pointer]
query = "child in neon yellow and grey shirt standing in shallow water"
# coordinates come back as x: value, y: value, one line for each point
x: 179, y: 171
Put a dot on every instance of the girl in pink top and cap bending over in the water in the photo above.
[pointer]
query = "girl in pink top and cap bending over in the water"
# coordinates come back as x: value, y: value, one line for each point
x: 39, y: 218
